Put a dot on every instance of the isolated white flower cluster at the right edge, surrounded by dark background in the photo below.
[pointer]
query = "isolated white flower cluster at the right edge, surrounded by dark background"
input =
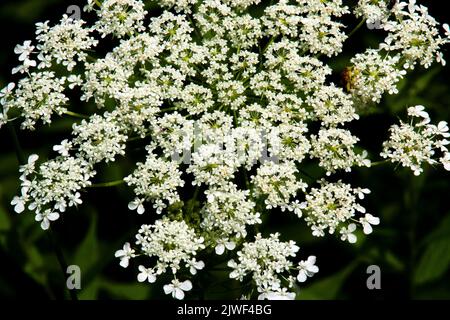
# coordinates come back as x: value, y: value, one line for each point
x: 417, y: 142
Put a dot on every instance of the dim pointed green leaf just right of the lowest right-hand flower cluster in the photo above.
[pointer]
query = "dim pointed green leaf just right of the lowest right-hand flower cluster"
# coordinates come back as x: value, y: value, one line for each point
x: 328, y: 288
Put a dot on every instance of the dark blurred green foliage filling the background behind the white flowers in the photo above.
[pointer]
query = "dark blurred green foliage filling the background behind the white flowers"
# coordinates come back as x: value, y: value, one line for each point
x: 411, y: 246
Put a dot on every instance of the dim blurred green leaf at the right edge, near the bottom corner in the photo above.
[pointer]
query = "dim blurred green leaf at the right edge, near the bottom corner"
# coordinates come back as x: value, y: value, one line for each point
x: 434, y: 262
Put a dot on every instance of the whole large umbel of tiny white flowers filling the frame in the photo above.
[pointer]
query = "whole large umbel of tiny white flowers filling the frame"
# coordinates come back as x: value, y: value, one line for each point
x: 213, y: 70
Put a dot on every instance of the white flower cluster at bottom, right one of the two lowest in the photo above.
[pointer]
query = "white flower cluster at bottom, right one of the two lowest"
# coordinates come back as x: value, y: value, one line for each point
x: 267, y: 261
